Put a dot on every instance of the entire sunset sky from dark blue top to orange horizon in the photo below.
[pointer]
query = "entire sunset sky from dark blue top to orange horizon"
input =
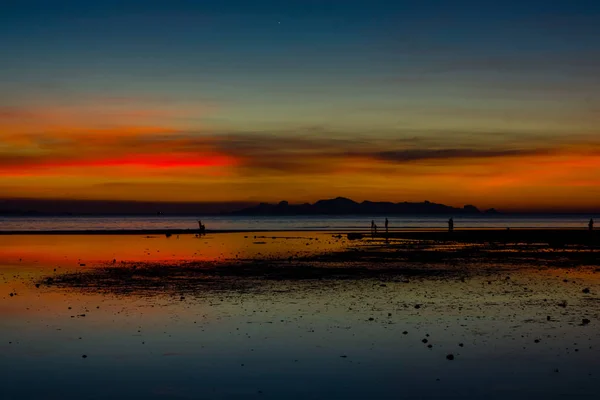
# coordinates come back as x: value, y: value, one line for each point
x: 492, y: 103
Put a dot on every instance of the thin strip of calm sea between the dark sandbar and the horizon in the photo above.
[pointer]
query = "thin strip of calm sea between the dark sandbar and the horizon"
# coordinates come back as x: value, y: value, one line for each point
x: 291, y: 223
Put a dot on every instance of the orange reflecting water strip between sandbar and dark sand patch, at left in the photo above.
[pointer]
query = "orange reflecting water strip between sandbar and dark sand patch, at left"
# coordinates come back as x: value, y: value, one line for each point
x: 51, y: 251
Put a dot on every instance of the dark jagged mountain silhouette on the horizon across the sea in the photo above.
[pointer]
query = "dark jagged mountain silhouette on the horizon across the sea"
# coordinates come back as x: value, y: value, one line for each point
x: 345, y: 206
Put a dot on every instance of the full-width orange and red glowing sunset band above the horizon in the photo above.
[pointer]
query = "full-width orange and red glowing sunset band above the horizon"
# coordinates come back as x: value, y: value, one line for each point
x: 123, y: 151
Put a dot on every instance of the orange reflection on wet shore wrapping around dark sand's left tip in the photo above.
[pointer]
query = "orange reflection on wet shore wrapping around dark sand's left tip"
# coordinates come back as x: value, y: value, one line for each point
x: 24, y: 259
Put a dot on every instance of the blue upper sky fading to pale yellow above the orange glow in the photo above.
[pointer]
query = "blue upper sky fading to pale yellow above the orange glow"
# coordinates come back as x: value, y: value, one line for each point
x: 307, y: 62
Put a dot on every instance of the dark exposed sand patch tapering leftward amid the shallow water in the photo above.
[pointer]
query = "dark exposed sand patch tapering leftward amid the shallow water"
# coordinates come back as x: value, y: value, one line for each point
x: 392, y: 256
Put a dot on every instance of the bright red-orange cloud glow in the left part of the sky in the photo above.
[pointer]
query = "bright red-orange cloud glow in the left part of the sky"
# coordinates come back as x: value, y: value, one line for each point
x: 95, y: 135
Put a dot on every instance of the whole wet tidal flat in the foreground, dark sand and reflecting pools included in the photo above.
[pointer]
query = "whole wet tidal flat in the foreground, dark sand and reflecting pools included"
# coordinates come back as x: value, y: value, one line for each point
x: 299, y: 315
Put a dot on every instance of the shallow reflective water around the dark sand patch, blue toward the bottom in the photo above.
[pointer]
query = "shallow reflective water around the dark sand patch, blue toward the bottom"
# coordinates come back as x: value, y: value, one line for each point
x: 298, y: 340
